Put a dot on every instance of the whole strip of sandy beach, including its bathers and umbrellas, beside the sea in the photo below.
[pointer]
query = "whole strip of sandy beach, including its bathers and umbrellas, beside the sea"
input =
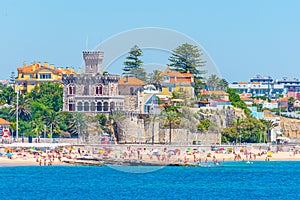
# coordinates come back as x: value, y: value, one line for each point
x: 147, y: 154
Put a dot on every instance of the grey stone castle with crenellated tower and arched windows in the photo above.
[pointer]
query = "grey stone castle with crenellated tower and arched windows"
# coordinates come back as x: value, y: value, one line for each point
x: 92, y: 91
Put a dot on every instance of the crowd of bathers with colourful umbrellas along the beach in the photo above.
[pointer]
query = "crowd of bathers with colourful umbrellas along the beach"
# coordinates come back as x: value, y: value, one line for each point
x: 149, y: 154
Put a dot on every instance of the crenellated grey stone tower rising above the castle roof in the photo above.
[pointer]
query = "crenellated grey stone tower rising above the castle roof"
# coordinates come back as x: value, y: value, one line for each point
x: 93, y: 61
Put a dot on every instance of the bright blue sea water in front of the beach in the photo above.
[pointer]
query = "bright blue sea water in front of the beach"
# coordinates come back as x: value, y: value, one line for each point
x: 230, y: 180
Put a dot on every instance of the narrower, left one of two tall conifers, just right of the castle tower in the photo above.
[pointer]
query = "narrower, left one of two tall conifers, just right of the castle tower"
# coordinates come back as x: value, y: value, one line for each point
x: 133, y: 64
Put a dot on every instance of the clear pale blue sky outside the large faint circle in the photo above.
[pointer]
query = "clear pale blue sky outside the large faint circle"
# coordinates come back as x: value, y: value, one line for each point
x: 243, y: 38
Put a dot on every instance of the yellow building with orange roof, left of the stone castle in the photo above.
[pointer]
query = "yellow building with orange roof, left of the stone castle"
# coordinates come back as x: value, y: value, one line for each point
x: 35, y: 74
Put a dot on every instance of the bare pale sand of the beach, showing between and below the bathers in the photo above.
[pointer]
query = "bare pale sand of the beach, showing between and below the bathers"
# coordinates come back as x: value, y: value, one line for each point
x: 173, y: 159
